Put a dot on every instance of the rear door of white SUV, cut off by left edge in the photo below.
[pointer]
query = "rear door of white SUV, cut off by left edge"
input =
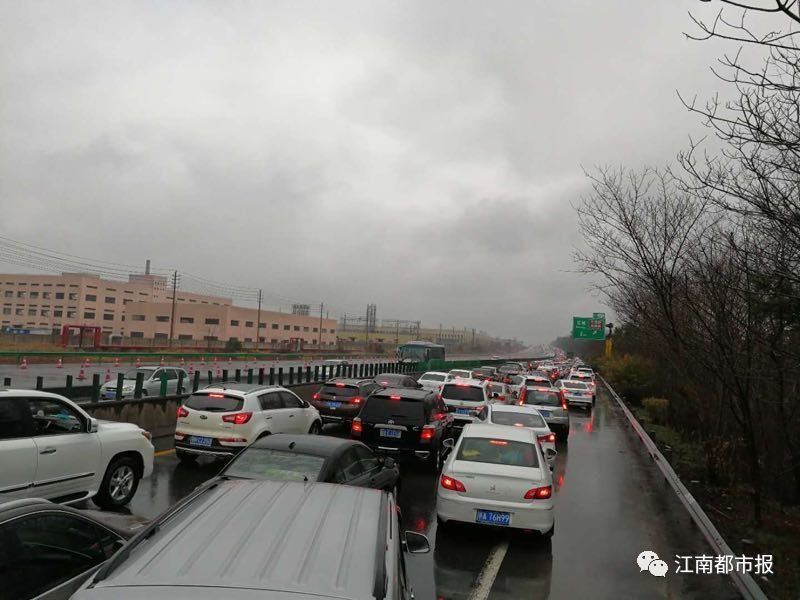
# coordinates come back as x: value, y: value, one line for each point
x: 17, y: 449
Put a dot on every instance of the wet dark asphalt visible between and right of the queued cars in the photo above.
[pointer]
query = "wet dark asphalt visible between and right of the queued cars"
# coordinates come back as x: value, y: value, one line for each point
x: 611, y: 504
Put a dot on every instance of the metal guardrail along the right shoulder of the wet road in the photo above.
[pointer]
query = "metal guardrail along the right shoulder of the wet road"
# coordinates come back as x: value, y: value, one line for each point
x: 746, y: 585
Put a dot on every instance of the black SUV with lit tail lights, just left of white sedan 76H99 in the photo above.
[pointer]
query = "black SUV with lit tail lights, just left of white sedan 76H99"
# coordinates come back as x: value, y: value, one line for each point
x: 405, y: 422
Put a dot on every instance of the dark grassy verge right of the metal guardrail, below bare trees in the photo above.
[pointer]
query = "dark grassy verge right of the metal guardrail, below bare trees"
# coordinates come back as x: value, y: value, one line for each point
x: 730, y: 509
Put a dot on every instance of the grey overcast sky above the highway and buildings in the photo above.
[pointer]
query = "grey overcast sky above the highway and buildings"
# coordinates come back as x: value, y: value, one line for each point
x: 420, y: 155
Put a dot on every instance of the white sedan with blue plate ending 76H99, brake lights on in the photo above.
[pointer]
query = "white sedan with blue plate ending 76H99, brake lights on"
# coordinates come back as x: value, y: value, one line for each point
x: 496, y: 475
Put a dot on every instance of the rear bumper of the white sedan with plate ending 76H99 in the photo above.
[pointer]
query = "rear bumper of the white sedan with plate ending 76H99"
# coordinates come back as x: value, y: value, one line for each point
x: 537, y: 515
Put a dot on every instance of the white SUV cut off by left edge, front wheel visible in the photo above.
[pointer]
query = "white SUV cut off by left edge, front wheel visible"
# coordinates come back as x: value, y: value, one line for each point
x: 50, y: 448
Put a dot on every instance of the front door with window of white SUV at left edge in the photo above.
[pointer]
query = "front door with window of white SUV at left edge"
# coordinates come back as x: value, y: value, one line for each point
x: 68, y: 457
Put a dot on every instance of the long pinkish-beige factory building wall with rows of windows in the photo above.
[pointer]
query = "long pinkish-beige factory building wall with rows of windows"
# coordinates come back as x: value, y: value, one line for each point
x: 142, y: 307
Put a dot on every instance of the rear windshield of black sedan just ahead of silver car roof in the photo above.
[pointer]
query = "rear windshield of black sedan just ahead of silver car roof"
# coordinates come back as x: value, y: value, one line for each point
x: 275, y: 465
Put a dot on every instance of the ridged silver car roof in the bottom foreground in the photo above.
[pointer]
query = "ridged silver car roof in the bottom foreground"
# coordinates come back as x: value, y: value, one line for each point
x: 309, y: 539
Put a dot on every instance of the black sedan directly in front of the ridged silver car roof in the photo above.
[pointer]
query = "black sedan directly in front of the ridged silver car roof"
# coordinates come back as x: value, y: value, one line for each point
x: 284, y: 457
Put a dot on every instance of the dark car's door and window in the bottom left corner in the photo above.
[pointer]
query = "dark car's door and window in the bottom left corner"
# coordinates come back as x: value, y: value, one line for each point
x: 50, y: 554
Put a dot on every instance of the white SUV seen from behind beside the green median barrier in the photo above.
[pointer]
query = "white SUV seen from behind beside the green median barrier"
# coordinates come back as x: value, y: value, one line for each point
x: 221, y: 419
